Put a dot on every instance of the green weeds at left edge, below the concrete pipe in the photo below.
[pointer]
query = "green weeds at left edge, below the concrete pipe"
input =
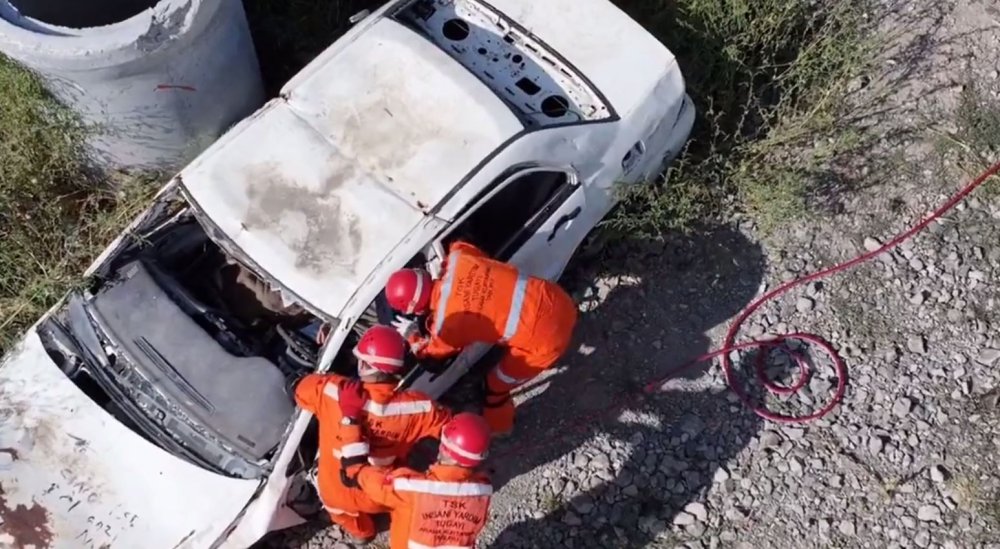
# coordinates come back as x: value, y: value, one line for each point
x: 55, y: 216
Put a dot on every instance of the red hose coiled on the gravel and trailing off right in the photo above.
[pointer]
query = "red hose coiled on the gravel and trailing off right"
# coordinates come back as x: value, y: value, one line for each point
x: 729, y: 344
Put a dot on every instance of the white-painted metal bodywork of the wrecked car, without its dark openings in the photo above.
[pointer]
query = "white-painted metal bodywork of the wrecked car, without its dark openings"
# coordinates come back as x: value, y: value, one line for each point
x: 373, y: 153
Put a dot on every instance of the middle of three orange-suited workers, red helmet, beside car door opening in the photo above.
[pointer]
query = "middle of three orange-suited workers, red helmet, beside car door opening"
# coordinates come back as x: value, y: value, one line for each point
x: 396, y: 421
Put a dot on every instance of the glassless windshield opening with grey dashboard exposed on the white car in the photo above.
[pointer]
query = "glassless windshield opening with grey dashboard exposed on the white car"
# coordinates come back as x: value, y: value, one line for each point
x: 188, y: 346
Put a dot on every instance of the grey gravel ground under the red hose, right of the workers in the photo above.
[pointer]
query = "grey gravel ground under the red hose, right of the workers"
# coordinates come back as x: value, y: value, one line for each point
x: 910, y: 457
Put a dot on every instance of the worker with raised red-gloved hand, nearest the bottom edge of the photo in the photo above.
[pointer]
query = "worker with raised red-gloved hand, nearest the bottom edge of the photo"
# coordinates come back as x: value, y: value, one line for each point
x: 446, y: 507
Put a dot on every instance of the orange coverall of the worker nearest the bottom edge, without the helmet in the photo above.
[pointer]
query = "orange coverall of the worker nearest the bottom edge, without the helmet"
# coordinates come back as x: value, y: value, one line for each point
x: 446, y: 507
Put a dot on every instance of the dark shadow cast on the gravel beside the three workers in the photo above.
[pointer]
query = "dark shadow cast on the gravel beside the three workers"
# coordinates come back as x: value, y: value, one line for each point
x: 658, y: 453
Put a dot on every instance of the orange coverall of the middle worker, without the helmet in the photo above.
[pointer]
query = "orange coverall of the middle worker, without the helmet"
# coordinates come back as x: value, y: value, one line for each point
x: 395, y: 422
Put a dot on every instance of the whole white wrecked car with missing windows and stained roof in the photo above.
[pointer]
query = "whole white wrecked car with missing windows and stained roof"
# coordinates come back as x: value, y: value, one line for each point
x: 149, y: 409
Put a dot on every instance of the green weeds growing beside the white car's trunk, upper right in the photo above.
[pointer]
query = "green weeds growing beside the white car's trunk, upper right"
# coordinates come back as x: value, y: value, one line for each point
x: 769, y: 79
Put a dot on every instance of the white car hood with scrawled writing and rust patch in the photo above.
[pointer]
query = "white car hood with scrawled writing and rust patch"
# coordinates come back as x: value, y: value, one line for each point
x: 72, y: 476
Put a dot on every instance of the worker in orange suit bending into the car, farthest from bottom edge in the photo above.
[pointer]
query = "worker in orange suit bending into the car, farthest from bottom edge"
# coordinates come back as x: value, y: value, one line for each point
x: 478, y: 299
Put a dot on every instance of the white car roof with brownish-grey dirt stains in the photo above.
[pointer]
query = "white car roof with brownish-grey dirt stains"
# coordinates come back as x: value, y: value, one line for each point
x: 319, y: 186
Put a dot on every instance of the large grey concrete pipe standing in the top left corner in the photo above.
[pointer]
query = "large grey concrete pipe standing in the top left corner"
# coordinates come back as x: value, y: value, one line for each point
x: 158, y: 80
